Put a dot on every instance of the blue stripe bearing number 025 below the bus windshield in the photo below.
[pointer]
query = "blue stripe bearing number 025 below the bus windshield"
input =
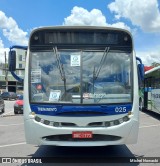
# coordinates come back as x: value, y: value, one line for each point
x: 101, y: 110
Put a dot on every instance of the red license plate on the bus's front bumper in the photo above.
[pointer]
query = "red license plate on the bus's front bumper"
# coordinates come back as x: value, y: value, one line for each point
x: 82, y: 134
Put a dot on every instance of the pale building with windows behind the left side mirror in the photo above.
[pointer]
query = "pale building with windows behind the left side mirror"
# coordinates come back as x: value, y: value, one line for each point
x: 7, y: 81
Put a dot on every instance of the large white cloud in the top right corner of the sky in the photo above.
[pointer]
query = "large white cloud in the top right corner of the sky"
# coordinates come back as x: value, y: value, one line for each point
x: 143, y: 13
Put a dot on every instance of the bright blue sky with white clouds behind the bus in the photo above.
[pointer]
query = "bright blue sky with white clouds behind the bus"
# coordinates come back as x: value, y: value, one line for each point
x: 141, y: 17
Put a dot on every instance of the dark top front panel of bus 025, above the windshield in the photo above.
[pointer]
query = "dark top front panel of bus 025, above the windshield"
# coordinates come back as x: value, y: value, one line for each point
x: 81, y: 36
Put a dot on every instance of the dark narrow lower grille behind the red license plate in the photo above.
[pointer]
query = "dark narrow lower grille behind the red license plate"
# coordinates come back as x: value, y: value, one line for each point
x: 68, y: 137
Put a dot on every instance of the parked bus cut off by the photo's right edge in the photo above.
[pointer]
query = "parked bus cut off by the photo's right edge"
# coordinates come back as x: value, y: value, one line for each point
x: 152, y: 90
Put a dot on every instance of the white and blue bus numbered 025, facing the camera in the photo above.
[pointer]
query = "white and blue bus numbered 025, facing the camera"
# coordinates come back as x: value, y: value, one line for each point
x: 80, y: 87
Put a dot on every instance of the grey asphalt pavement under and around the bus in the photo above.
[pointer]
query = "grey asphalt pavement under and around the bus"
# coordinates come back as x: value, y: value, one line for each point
x: 12, y: 144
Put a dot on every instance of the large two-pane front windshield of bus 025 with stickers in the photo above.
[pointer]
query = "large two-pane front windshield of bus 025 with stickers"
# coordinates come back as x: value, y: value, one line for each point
x: 80, y: 76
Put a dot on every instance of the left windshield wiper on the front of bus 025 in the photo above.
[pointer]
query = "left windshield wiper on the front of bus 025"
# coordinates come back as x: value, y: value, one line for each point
x: 60, y: 67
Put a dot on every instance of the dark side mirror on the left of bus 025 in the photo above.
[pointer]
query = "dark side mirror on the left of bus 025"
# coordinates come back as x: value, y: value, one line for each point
x: 12, y: 60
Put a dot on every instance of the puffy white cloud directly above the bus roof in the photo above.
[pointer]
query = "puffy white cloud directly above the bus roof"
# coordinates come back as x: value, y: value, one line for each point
x: 81, y: 16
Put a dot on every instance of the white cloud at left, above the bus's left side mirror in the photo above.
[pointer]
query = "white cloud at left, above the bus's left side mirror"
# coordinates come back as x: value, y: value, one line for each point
x: 11, y: 30
